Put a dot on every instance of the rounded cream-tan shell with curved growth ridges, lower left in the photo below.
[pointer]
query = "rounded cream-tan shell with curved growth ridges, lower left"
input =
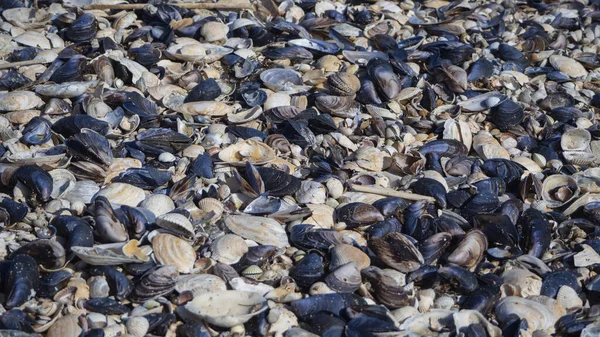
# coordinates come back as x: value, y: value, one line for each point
x: 171, y: 250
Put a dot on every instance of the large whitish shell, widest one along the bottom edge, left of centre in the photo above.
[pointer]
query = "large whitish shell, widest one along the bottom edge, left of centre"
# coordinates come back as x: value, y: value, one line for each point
x: 235, y: 307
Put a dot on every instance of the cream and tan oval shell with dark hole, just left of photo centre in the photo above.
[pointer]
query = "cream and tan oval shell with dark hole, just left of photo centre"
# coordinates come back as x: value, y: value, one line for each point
x: 250, y: 150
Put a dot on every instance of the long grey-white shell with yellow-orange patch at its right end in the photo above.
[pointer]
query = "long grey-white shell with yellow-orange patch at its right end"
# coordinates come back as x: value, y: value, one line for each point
x: 111, y: 254
